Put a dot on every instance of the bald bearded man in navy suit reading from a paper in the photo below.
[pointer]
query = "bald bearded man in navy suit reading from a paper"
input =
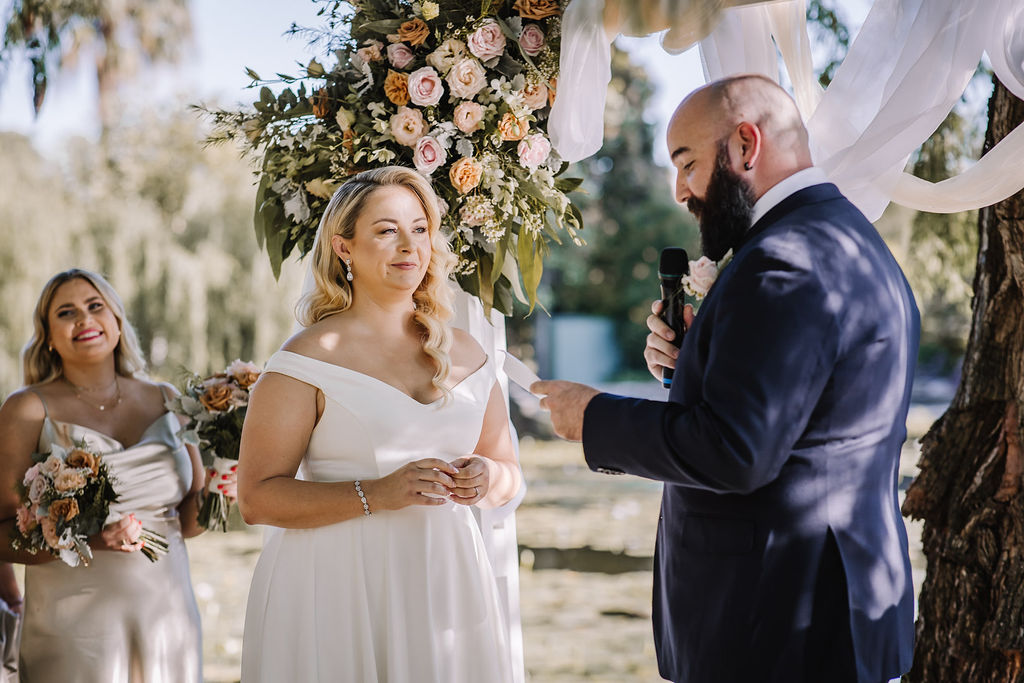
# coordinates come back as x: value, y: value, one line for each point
x: 782, y: 556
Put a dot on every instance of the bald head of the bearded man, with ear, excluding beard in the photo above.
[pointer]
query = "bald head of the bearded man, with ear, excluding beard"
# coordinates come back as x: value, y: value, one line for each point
x: 757, y: 120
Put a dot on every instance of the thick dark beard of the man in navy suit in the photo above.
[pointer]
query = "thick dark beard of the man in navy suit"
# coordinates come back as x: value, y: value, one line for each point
x: 724, y: 215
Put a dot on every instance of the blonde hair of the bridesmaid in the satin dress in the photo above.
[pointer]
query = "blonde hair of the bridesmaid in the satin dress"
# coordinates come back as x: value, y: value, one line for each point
x: 41, y: 364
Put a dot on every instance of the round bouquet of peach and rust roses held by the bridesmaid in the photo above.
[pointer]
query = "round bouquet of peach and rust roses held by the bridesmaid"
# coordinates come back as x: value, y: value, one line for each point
x: 66, y: 498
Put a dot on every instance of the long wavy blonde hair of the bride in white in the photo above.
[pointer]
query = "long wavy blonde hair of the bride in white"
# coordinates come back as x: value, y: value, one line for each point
x: 333, y: 292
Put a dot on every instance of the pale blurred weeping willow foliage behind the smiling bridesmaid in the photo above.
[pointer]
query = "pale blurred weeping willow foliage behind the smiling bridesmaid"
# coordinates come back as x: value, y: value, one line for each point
x: 168, y: 223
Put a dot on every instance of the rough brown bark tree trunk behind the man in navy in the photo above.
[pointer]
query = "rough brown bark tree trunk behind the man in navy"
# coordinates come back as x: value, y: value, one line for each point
x: 971, y: 610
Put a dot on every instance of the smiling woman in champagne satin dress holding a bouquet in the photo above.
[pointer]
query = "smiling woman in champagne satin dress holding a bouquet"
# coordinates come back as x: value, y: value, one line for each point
x: 123, y: 619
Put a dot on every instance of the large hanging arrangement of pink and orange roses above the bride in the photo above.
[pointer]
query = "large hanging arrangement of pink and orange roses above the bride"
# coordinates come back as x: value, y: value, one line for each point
x: 461, y: 91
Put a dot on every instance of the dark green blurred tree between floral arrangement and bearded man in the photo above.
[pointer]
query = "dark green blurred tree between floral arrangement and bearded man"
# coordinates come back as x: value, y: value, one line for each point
x: 630, y: 215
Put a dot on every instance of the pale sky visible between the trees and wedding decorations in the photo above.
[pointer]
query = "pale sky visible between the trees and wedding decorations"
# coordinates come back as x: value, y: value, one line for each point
x: 230, y: 35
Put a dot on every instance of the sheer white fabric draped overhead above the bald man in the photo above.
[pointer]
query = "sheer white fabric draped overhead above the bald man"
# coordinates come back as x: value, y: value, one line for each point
x: 906, y: 71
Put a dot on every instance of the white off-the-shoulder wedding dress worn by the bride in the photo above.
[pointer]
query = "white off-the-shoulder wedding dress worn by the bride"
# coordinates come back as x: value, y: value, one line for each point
x: 404, y: 596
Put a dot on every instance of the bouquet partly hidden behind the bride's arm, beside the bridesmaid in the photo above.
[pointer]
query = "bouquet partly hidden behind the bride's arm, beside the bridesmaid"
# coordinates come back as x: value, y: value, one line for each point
x: 216, y: 408
